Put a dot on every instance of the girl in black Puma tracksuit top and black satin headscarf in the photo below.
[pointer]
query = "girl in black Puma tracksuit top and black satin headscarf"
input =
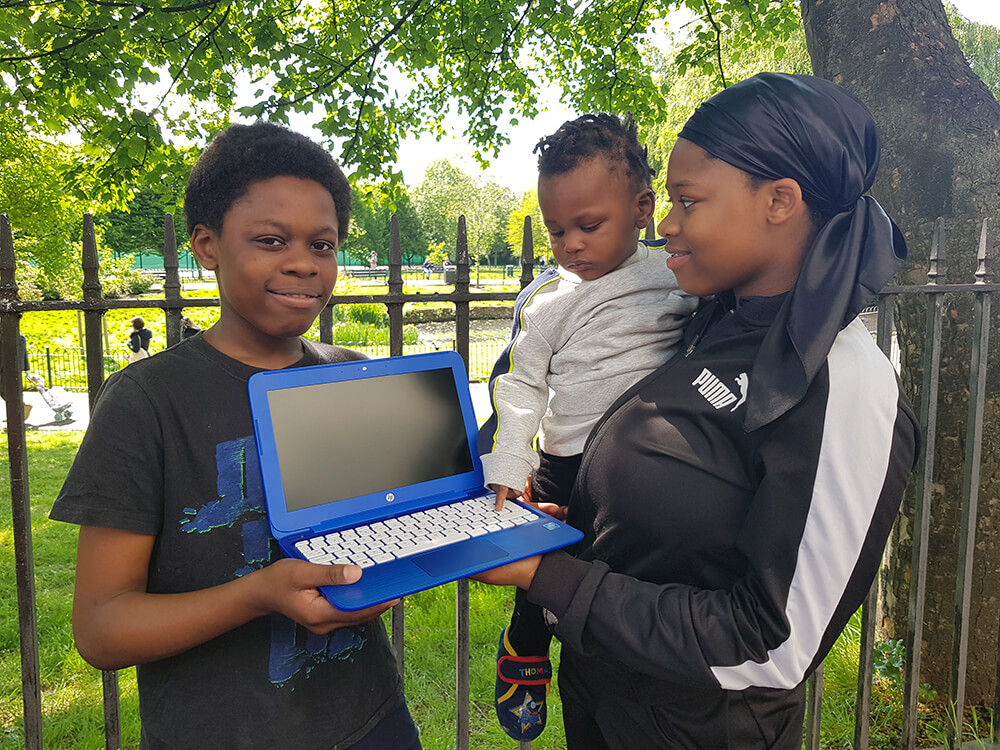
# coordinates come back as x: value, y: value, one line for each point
x: 736, y: 502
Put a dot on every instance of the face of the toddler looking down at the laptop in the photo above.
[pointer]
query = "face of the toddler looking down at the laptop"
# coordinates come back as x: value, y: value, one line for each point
x: 593, y: 217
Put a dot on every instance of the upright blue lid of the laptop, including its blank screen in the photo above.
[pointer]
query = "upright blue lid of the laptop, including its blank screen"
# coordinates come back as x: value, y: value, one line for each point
x: 345, y: 443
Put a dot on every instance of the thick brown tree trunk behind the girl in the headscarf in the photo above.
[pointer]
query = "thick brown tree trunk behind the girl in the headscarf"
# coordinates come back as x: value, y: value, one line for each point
x: 940, y: 130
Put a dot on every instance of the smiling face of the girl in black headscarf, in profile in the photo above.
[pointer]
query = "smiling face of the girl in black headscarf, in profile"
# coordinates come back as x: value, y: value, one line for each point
x: 721, y: 230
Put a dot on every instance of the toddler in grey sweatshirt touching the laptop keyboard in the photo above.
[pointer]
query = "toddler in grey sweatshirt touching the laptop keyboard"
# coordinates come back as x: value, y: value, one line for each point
x: 585, y: 330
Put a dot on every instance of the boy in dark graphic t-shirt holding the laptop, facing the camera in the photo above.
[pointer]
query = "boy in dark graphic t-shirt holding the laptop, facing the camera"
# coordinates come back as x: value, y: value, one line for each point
x: 176, y: 570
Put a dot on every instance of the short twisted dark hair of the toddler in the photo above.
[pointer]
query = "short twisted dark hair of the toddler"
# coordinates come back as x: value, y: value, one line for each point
x: 593, y: 135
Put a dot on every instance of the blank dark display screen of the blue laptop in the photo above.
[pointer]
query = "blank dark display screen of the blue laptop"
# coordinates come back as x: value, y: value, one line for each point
x: 349, y: 438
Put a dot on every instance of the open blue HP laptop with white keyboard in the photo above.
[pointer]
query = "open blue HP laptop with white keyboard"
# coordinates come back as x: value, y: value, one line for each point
x: 374, y: 463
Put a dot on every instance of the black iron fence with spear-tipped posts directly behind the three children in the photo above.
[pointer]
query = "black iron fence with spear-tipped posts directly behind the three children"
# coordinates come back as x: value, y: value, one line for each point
x: 96, y: 365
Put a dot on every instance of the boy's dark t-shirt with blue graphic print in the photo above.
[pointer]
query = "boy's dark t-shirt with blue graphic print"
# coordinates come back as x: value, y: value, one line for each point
x: 170, y: 452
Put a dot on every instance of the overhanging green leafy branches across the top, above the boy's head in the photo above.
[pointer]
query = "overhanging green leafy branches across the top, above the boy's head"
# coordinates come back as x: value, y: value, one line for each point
x: 129, y: 77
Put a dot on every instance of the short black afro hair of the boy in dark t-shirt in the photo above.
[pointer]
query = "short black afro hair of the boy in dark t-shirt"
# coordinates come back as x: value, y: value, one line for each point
x: 244, y: 154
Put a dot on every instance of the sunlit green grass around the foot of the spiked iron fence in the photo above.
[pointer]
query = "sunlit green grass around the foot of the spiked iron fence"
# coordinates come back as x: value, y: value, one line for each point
x: 71, y: 690
